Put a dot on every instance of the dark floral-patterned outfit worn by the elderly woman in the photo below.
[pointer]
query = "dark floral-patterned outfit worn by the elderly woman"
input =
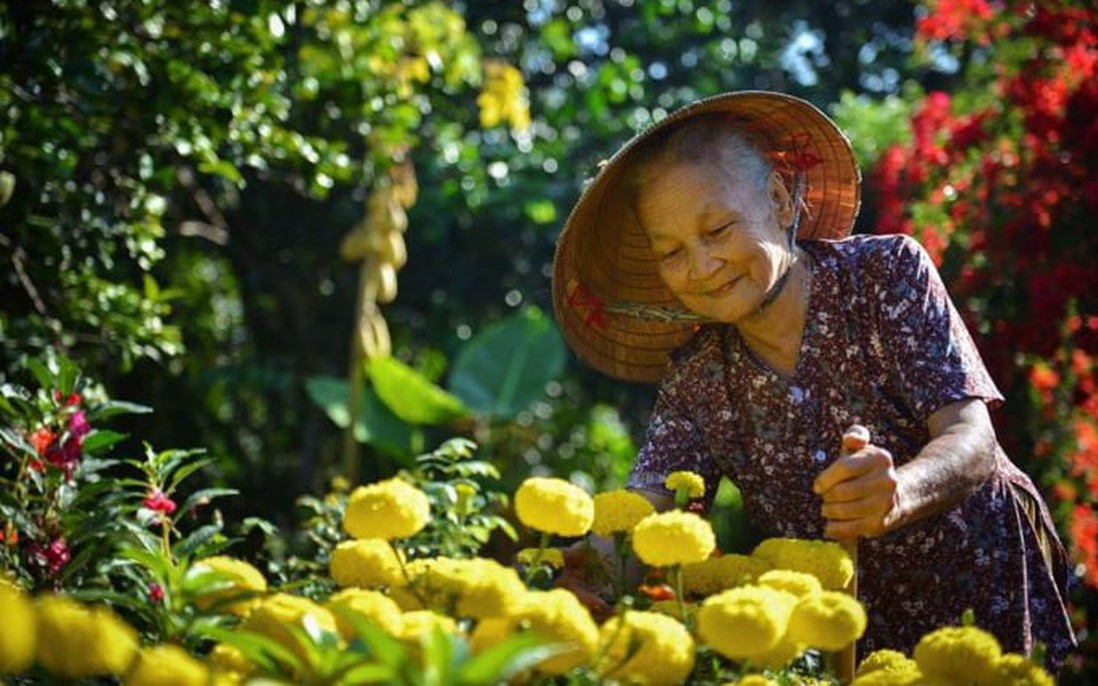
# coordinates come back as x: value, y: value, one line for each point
x: 884, y: 347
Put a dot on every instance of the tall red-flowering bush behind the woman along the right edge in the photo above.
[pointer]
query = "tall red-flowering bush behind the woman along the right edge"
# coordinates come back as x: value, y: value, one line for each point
x: 1000, y: 182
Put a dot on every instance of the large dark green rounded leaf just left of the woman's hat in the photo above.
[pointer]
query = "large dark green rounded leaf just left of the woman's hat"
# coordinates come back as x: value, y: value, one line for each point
x: 506, y: 368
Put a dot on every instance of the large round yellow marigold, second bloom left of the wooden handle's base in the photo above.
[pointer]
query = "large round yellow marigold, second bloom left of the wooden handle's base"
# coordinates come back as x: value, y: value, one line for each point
x: 747, y: 622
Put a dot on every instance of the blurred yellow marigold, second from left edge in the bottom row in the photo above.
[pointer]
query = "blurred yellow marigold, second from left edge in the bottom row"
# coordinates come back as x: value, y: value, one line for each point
x: 80, y: 642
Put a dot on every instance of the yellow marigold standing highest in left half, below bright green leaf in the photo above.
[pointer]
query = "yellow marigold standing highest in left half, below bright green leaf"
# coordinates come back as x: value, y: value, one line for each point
x: 388, y: 510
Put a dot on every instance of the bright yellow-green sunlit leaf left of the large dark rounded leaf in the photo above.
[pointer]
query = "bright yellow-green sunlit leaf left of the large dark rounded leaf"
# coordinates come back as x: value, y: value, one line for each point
x: 411, y: 396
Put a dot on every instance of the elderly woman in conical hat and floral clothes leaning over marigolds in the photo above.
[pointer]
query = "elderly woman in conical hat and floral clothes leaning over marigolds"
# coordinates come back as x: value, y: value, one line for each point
x: 712, y: 255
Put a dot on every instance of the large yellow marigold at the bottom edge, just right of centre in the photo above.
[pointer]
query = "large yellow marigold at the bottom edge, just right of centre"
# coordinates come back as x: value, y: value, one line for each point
x: 646, y: 647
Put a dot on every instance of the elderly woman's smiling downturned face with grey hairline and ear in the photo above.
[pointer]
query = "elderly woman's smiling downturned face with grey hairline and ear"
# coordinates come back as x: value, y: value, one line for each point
x: 722, y: 242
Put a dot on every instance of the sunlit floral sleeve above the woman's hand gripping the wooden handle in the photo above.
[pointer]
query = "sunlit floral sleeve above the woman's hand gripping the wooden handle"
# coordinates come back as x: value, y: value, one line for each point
x: 931, y: 347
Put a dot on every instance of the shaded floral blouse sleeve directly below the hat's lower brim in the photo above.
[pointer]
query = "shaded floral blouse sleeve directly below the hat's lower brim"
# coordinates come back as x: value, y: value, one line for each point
x: 674, y: 443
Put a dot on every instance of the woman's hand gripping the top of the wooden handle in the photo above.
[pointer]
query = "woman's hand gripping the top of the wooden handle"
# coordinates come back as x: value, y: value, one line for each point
x: 860, y: 492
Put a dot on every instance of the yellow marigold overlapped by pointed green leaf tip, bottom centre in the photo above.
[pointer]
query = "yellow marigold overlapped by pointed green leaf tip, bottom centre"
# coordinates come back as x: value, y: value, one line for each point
x: 558, y: 616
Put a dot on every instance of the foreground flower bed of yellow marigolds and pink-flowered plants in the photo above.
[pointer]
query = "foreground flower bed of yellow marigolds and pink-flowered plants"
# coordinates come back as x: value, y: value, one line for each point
x: 399, y: 587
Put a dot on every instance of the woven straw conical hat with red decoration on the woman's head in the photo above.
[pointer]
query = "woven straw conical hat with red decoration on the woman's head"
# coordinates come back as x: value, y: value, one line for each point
x: 603, y: 255
